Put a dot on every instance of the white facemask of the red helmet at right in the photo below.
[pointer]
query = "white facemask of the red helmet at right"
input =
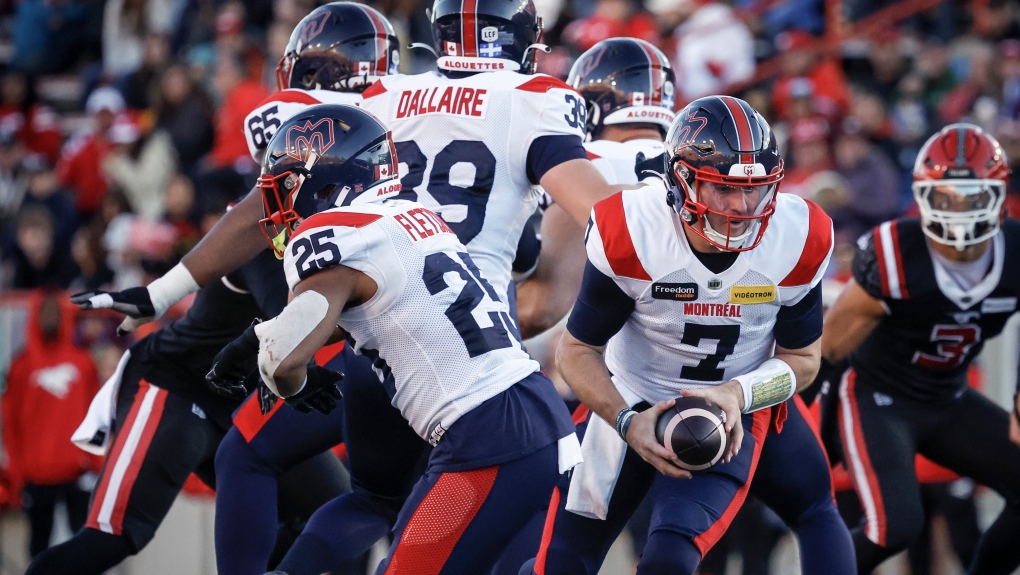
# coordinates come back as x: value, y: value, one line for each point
x: 960, y: 213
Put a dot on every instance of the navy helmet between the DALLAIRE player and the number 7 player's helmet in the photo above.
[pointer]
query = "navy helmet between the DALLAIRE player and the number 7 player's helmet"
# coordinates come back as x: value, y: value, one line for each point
x: 625, y: 81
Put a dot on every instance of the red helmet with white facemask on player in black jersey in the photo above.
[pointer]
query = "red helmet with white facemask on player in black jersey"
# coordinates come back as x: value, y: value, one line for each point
x: 960, y: 181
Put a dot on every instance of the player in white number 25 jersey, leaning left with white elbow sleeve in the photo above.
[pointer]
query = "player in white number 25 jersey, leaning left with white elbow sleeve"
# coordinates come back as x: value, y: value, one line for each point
x: 395, y: 277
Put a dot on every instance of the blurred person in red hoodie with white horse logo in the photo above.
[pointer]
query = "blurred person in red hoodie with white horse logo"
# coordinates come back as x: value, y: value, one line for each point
x: 49, y: 388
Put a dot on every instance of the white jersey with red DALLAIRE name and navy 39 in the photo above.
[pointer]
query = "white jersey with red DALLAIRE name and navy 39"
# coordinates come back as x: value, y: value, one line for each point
x: 464, y: 144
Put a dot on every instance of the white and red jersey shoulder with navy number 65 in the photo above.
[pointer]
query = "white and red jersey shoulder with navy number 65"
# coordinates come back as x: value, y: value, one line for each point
x: 263, y: 123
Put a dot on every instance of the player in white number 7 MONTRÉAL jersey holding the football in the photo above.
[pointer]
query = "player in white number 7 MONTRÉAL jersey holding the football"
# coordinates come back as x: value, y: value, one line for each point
x: 718, y: 297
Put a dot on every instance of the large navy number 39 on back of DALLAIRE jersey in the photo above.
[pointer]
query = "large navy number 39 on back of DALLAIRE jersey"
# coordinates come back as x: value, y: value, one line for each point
x: 467, y: 225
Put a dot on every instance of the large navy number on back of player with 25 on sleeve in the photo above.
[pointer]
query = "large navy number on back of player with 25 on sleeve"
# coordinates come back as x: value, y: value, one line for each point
x: 478, y: 340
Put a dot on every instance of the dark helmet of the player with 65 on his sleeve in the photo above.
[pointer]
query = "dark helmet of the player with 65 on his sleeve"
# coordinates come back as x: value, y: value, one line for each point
x: 341, y: 46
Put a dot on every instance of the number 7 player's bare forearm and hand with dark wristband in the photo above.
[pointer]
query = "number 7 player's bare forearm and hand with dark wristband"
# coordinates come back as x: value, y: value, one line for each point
x: 584, y: 369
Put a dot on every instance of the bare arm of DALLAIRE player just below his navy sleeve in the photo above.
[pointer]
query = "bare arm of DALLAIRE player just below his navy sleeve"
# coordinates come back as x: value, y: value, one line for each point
x: 577, y: 186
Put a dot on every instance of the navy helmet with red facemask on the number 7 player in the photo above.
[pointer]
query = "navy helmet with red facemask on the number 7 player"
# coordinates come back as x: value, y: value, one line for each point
x: 721, y: 146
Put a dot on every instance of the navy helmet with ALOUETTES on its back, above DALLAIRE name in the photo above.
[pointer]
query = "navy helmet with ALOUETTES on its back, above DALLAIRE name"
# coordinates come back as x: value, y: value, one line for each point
x: 486, y: 35
